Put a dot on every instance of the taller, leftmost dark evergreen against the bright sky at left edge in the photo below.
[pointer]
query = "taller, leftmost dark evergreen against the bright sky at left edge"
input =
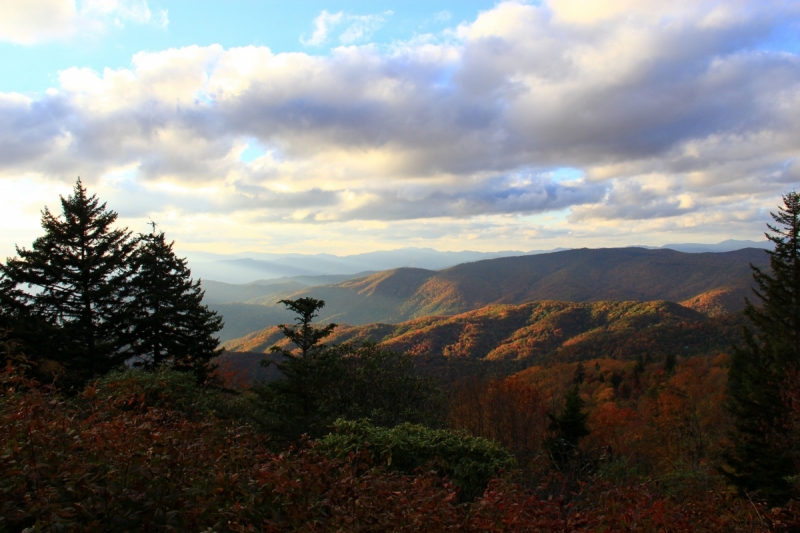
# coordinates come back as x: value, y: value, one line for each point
x: 79, y: 275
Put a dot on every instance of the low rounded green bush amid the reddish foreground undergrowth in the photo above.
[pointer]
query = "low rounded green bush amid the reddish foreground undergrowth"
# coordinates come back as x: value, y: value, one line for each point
x: 470, y: 462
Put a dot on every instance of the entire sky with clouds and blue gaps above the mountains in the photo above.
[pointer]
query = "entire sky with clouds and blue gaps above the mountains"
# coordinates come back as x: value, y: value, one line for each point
x: 352, y: 126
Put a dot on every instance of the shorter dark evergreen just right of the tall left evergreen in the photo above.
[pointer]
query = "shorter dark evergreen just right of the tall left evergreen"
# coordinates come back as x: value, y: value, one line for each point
x: 168, y: 324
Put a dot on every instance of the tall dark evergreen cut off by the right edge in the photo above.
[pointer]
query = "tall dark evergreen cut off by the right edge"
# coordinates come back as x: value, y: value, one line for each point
x: 759, y: 458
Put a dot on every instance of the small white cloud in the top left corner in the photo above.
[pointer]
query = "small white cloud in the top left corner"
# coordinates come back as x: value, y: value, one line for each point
x: 36, y: 21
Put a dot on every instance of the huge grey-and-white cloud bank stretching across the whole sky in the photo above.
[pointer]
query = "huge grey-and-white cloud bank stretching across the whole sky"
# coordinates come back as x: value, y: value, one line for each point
x: 678, y: 119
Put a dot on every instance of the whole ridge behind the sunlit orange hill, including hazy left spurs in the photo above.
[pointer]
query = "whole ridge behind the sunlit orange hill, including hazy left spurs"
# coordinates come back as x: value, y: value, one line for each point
x: 711, y: 283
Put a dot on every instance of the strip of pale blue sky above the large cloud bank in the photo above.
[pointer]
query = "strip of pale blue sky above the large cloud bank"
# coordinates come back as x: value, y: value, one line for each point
x: 278, y: 25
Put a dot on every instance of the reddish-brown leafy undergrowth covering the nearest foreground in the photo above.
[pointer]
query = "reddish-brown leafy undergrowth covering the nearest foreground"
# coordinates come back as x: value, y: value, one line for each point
x: 130, y: 462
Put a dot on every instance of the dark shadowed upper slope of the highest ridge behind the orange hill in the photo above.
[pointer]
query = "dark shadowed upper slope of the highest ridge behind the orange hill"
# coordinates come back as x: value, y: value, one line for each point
x: 584, y: 276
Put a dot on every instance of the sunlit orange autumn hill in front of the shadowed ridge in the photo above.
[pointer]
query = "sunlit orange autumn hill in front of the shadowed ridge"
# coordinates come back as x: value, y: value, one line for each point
x: 540, y: 331
